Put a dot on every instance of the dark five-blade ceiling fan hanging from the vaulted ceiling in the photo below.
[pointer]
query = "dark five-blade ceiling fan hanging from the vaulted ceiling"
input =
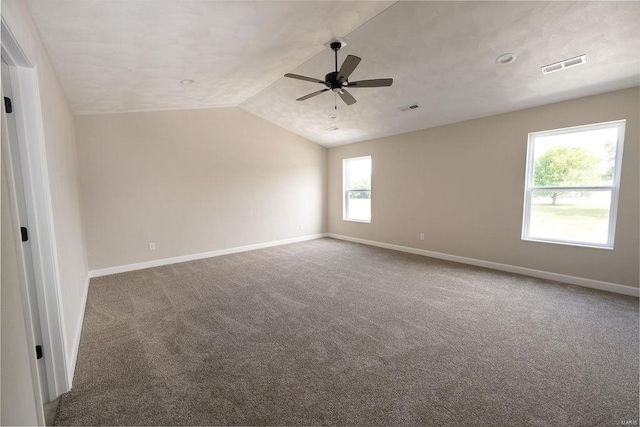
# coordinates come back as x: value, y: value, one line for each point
x: 338, y: 80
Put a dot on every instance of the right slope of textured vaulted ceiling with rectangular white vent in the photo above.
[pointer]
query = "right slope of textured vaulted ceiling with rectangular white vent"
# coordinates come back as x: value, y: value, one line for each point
x: 442, y: 57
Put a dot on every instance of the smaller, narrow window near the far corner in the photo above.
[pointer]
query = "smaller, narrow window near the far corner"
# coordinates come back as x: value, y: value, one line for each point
x: 357, y: 189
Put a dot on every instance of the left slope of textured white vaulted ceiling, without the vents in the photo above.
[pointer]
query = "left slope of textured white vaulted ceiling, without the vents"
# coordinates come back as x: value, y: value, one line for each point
x: 130, y: 55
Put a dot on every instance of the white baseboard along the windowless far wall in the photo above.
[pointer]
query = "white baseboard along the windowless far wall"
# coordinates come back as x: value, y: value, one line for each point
x: 202, y: 255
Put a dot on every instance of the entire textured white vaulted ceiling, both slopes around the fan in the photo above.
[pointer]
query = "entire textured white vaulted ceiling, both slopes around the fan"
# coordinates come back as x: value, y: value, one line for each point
x: 130, y: 55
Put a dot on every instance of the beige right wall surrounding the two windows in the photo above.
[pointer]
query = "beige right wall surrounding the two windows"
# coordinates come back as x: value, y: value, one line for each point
x: 463, y: 186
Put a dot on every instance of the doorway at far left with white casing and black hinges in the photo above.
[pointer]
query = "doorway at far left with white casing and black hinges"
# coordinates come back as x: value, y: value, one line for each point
x: 29, y: 208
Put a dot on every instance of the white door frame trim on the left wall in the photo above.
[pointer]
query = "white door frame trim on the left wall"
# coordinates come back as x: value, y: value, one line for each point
x: 35, y: 177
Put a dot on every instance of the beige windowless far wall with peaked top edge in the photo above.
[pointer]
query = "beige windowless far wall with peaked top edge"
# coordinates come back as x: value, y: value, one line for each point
x: 194, y: 181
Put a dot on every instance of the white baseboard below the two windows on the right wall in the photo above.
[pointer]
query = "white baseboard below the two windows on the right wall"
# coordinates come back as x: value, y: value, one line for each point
x: 579, y: 281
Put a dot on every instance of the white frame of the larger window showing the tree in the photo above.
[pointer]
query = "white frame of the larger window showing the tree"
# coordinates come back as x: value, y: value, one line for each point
x: 614, y: 188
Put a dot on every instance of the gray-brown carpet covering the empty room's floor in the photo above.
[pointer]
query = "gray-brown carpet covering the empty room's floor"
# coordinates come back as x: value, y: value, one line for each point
x: 336, y: 333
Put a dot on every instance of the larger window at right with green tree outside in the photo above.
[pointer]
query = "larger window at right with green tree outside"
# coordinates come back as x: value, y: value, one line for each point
x: 572, y: 182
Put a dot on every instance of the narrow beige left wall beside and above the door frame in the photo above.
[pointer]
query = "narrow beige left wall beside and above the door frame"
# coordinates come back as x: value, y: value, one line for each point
x: 62, y: 167
